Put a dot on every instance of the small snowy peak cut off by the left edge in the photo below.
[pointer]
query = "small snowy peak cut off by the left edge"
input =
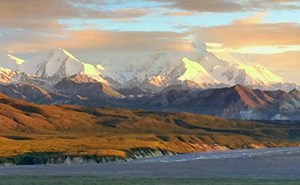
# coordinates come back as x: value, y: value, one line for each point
x: 10, y: 62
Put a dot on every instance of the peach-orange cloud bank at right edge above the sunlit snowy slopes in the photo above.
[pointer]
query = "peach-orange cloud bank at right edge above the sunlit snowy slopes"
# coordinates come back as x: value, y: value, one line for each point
x: 245, y: 35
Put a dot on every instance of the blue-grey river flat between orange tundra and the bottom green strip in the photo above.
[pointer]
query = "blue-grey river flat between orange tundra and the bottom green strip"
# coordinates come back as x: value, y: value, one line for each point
x: 261, y: 163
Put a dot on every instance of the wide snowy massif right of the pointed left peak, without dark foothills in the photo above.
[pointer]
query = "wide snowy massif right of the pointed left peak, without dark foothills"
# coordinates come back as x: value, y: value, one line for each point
x: 203, y: 69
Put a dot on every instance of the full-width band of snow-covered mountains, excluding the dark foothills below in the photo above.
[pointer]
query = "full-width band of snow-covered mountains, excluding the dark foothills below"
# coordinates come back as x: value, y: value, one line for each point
x: 154, y: 72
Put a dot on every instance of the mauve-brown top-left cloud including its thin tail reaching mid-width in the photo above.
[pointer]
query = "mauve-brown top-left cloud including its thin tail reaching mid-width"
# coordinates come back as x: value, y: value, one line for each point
x: 41, y: 15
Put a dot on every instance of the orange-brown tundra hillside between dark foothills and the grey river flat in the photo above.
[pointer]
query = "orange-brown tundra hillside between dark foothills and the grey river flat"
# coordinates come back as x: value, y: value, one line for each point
x: 31, y: 133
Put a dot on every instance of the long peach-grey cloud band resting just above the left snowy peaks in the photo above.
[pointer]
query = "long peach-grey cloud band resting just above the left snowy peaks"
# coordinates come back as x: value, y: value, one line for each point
x: 104, y: 41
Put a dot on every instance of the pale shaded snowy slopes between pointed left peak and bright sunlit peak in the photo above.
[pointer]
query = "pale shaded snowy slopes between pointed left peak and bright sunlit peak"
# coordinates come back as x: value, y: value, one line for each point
x: 141, y: 67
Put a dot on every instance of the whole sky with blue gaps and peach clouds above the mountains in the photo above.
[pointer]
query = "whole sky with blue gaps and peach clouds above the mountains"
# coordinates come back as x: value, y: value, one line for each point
x: 266, y: 30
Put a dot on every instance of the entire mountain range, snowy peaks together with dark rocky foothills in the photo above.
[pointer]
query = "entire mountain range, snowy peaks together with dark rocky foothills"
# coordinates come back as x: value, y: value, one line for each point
x: 204, y: 83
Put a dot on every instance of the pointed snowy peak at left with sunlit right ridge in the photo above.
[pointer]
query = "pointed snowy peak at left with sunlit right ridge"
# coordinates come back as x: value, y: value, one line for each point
x: 59, y: 64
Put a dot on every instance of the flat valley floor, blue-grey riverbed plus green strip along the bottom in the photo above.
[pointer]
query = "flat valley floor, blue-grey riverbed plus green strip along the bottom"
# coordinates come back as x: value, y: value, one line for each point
x: 239, y: 167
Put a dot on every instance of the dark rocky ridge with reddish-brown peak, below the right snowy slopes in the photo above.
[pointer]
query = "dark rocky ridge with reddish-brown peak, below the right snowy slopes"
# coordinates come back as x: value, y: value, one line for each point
x: 236, y: 102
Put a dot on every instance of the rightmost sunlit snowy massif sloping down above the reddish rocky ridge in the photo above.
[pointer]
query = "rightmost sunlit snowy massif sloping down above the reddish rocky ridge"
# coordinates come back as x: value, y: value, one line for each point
x: 233, y: 68
